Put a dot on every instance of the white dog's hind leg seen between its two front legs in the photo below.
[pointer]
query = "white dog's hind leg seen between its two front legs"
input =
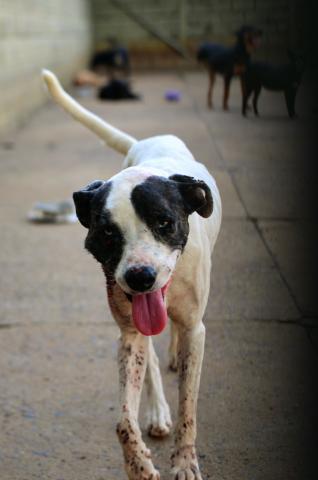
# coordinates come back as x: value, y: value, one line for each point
x: 158, y: 415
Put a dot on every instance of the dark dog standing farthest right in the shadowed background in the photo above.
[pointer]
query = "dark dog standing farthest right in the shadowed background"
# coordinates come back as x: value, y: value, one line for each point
x: 281, y: 78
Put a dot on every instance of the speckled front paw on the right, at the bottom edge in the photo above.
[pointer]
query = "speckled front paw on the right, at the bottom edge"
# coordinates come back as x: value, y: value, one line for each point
x: 184, y: 464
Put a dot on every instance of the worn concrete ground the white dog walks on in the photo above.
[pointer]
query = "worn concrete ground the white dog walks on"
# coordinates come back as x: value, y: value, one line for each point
x: 58, y: 383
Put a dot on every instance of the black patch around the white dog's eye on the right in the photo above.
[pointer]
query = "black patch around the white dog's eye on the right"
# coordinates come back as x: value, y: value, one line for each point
x: 158, y: 202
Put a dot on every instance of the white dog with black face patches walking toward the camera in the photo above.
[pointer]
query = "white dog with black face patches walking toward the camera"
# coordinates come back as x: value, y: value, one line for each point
x: 152, y: 227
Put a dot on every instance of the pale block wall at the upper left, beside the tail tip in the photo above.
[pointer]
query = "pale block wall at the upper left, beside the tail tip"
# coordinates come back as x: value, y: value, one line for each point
x: 34, y: 34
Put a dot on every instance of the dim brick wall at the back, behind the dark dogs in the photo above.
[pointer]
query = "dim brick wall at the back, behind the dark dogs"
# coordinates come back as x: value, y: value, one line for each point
x: 213, y: 20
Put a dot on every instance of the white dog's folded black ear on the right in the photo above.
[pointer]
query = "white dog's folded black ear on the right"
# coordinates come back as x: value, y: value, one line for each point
x: 196, y: 195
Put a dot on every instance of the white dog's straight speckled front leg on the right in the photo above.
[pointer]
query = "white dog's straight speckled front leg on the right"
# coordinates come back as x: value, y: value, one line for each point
x: 190, y: 355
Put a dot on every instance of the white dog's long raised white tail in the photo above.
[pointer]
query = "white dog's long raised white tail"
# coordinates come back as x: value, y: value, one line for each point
x: 116, y: 139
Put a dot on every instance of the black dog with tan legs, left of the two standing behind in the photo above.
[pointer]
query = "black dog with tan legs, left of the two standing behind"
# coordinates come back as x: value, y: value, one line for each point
x: 228, y: 61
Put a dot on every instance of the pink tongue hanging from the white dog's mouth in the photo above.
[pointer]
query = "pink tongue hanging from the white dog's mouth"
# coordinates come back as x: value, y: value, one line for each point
x: 149, y: 312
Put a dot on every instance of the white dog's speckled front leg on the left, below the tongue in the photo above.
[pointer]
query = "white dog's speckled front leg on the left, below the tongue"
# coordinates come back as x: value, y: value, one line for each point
x: 132, y: 358
